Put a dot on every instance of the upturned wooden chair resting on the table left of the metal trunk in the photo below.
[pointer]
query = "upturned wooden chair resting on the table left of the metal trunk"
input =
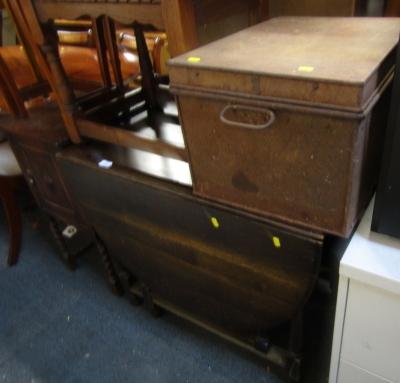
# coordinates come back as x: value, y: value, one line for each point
x: 119, y: 111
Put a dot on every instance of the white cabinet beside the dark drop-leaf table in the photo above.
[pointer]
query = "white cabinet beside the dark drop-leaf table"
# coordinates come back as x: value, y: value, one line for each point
x: 366, y: 343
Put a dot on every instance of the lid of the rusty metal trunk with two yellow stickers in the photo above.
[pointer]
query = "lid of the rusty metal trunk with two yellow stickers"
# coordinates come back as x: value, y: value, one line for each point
x: 336, y: 61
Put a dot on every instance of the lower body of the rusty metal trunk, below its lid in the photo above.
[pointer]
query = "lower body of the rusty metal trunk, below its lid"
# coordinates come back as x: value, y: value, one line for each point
x: 309, y: 170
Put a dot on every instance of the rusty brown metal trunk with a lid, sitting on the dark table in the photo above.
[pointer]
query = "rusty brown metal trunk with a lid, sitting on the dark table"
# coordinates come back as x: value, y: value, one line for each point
x: 317, y: 163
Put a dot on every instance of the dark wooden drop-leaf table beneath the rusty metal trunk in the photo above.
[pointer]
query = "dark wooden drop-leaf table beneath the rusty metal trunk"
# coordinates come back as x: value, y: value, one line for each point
x: 232, y: 272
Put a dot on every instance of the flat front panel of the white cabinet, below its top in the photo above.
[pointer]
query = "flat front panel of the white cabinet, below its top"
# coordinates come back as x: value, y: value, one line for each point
x: 371, y: 335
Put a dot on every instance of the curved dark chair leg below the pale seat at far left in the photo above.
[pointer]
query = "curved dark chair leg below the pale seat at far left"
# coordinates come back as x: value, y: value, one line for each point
x: 14, y: 222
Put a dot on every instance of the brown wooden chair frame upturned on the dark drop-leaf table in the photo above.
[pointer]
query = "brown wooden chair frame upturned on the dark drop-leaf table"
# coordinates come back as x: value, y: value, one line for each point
x: 108, y: 113
